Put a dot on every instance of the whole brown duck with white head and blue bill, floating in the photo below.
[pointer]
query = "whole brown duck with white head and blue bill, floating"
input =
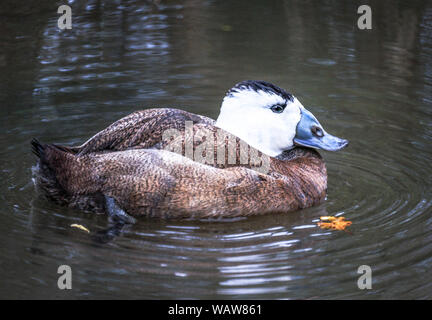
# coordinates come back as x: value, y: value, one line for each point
x: 258, y: 157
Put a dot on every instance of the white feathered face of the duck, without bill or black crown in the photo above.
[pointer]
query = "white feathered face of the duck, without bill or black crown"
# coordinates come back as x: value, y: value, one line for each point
x: 253, y: 116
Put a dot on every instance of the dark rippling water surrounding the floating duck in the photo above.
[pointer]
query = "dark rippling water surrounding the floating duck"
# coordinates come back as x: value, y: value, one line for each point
x: 372, y: 87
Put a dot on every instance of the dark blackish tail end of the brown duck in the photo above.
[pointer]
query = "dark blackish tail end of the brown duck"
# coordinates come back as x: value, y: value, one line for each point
x: 46, y: 176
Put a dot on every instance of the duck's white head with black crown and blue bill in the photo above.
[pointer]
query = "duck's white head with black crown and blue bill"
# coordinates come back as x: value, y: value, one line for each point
x: 272, y: 120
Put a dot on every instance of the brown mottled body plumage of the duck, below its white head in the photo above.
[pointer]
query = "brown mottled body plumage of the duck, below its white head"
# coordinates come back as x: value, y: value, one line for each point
x: 129, y: 161
